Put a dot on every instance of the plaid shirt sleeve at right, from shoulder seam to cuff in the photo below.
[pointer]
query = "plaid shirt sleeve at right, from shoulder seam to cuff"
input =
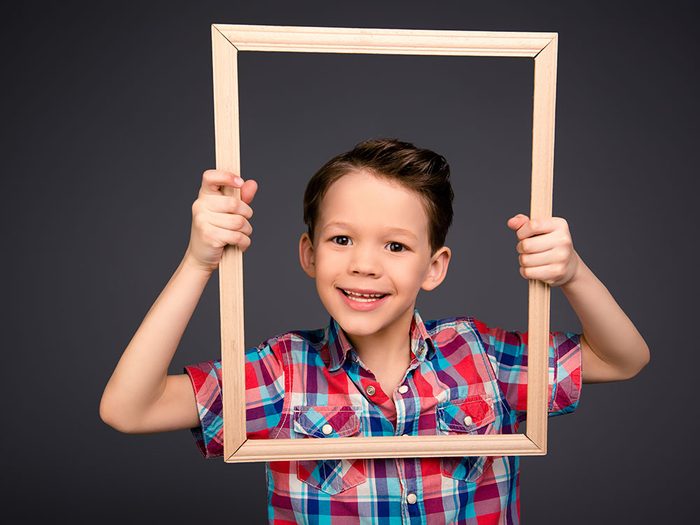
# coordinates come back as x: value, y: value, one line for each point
x: 508, y: 353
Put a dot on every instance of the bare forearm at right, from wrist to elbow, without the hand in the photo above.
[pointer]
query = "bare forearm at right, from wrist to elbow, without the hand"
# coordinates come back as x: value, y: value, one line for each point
x: 606, y: 327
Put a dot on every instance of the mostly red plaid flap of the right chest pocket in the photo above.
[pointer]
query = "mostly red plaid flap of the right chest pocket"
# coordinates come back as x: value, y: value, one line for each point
x: 470, y: 414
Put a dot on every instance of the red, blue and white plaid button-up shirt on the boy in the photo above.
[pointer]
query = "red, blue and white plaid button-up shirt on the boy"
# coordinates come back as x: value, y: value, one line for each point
x: 464, y: 377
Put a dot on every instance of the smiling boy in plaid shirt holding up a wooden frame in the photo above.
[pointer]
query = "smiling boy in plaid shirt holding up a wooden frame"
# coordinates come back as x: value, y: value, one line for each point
x: 377, y: 218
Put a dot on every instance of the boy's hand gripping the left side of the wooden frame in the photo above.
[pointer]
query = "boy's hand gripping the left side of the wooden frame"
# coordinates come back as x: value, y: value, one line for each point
x: 219, y: 219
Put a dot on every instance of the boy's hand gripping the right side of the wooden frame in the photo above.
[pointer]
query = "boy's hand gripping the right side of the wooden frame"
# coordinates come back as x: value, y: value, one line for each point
x: 546, y: 249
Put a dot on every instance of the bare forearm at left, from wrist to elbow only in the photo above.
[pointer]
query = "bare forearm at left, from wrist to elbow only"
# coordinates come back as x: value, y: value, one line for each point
x: 140, y: 375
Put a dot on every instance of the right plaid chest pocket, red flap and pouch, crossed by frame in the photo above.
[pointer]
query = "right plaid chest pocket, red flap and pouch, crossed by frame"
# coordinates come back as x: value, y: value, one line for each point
x: 473, y: 415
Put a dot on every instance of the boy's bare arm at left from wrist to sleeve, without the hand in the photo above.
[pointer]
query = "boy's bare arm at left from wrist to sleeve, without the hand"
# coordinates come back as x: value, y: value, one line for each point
x: 140, y: 396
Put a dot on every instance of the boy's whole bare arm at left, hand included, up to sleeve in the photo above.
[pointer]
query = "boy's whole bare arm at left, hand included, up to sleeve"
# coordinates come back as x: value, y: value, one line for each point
x: 141, y: 396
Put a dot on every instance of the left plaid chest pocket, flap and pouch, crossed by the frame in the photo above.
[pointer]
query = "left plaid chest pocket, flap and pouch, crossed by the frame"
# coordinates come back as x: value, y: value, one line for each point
x: 331, y: 476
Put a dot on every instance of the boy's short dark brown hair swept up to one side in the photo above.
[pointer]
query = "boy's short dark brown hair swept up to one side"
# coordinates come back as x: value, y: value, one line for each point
x: 418, y: 169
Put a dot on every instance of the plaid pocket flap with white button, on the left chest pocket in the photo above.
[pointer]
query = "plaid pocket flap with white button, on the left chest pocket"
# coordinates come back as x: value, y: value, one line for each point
x: 326, y: 421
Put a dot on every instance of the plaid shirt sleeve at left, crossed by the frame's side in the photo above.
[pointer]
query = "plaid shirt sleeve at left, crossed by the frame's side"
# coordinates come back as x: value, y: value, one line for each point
x: 264, y: 381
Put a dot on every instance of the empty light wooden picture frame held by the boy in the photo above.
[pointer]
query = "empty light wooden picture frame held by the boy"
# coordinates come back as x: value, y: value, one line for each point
x: 227, y: 41
